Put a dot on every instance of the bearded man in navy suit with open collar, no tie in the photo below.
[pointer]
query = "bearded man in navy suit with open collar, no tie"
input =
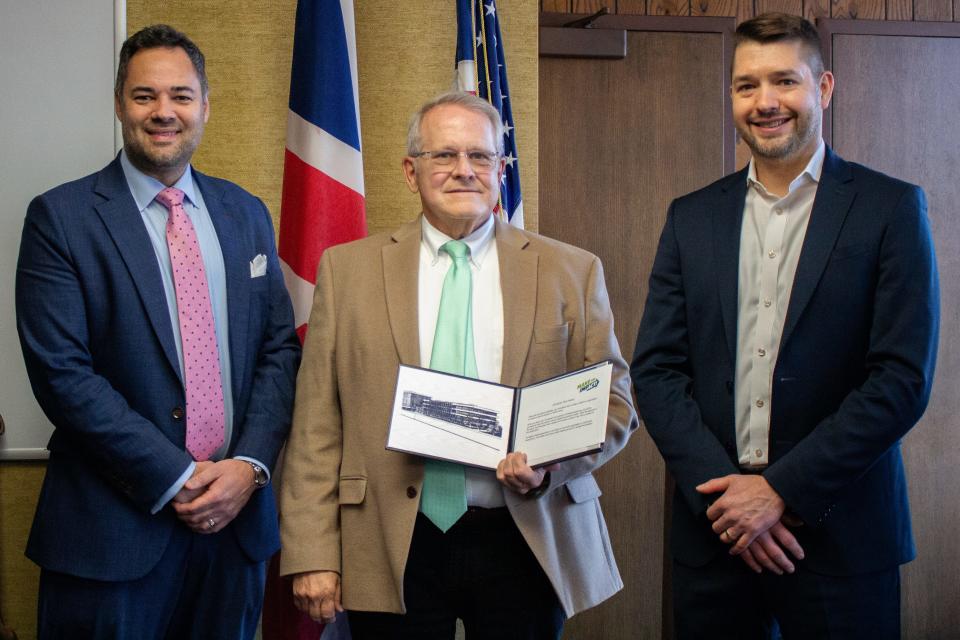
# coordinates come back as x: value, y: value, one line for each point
x: 787, y: 345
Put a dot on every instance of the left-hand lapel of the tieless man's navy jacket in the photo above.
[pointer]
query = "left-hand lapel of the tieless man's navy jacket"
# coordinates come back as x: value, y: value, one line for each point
x: 727, y: 223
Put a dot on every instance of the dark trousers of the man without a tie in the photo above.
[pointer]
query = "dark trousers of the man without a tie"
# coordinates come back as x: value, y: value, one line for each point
x: 725, y: 599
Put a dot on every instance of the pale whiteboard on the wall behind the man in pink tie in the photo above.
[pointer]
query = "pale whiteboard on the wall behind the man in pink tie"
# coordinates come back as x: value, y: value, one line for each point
x: 56, y: 107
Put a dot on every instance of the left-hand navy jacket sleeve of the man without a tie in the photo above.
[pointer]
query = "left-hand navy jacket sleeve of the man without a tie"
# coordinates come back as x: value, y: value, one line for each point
x: 662, y: 376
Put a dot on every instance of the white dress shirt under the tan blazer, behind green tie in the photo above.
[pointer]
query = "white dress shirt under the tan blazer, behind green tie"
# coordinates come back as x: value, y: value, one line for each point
x: 483, y: 488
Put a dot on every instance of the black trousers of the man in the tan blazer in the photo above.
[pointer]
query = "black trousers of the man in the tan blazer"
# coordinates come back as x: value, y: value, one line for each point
x: 480, y: 571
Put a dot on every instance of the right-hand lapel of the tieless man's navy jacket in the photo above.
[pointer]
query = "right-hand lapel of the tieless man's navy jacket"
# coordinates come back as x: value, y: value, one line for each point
x: 835, y: 194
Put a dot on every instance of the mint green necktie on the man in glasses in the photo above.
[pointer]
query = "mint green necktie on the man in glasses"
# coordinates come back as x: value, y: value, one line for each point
x: 443, y: 498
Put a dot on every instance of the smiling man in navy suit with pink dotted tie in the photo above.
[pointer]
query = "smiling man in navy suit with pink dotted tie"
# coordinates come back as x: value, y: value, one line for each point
x: 135, y: 536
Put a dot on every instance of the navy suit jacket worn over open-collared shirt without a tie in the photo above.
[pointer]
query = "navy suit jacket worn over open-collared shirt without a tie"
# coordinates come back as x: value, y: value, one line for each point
x: 853, y: 374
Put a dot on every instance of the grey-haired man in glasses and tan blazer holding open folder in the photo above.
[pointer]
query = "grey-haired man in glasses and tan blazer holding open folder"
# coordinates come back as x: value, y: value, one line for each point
x: 532, y: 547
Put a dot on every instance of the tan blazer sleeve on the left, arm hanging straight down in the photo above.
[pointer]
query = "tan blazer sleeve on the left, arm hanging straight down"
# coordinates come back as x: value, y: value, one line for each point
x: 309, y: 490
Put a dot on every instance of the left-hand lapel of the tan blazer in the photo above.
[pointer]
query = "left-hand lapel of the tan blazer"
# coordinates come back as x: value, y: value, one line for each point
x: 401, y: 269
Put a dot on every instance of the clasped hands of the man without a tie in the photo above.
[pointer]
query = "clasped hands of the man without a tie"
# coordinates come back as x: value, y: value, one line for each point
x: 750, y: 516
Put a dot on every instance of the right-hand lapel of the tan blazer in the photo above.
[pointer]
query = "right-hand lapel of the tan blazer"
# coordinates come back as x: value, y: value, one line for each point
x: 518, y: 284
